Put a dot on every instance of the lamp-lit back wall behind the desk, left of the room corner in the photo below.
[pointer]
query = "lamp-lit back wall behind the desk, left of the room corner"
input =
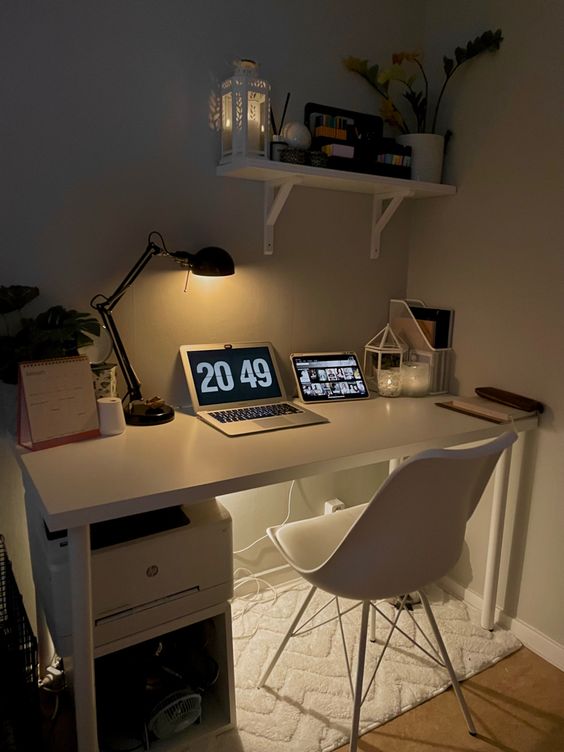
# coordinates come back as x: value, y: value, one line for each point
x: 106, y: 136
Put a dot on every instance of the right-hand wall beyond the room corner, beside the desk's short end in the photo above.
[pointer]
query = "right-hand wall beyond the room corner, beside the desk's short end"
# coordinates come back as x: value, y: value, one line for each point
x: 494, y: 253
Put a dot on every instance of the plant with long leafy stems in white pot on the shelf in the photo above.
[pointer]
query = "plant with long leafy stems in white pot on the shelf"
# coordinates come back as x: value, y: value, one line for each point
x: 419, y: 130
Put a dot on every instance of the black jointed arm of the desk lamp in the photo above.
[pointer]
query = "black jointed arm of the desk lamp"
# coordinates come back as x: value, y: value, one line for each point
x: 105, y: 306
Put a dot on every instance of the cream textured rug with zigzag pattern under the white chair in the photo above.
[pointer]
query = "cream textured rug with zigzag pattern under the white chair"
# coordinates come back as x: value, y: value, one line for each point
x: 306, y: 704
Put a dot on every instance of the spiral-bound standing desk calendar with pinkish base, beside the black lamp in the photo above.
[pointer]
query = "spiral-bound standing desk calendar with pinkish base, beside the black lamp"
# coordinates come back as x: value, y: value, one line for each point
x: 56, y: 402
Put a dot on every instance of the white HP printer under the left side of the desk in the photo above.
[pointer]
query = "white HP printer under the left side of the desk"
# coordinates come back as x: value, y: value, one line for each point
x: 148, y: 570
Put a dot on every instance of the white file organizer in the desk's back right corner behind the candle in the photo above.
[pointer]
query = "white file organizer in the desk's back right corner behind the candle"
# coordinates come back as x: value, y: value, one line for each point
x: 405, y: 325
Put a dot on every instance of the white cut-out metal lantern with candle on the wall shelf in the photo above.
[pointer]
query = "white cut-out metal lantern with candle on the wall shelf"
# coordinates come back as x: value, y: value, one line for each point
x: 245, y: 113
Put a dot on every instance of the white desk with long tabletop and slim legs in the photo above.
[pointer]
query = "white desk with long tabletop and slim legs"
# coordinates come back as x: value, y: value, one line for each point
x: 186, y: 460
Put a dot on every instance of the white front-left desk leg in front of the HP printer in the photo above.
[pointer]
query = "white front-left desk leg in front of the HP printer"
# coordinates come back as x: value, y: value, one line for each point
x: 82, y: 639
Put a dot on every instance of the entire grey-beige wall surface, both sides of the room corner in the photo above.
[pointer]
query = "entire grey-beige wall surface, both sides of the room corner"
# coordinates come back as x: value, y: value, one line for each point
x: 106, y: 136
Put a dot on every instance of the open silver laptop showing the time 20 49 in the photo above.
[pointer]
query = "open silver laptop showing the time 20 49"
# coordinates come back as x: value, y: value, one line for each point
x: 236, y: 388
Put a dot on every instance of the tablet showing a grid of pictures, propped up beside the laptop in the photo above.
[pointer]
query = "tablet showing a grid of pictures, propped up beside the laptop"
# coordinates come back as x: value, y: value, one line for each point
x: 323, y: 377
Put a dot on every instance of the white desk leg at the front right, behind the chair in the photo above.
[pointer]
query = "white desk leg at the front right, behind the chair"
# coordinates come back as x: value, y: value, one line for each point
x: 497, y: 518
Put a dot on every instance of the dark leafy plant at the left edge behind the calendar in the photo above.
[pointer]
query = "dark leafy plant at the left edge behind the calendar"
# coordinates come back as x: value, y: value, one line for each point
x: 55, y: 333
